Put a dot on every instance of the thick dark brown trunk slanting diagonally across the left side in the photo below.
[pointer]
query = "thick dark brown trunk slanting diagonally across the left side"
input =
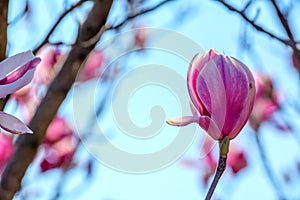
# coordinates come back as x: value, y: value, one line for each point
x: 26, y: 145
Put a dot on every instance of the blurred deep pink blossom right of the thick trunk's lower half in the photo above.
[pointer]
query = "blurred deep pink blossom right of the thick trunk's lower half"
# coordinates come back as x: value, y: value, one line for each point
x: 59, y: 145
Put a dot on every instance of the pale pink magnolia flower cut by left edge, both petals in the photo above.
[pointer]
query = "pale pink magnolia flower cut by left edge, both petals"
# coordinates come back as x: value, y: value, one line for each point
x: 16, y: 72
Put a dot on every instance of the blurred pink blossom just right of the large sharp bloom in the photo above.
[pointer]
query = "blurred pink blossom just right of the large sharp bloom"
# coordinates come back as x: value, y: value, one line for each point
x: 266, y: 102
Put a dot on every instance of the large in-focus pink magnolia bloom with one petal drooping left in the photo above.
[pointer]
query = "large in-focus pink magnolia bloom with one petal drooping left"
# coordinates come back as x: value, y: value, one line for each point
x: 222, y: 92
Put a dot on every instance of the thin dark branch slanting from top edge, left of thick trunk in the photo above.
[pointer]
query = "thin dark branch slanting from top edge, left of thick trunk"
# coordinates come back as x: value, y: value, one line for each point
x: 62, y: 16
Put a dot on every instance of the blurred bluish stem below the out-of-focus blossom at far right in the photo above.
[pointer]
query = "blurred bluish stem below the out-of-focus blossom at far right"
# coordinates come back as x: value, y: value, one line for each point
x: 267, y: 167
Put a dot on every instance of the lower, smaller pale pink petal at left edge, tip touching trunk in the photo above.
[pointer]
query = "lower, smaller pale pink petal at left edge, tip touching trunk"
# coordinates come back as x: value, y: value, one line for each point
x: 12, y: 124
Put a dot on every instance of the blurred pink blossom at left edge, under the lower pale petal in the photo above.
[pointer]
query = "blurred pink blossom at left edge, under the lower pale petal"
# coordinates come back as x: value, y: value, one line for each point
x: 6, y: 150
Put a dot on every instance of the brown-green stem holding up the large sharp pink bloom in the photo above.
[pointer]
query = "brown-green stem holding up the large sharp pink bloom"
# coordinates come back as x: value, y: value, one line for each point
x: 224, y: 148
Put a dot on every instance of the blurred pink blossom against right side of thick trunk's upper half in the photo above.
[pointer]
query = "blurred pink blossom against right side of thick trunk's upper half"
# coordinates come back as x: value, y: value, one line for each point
x: 92, y: 68
